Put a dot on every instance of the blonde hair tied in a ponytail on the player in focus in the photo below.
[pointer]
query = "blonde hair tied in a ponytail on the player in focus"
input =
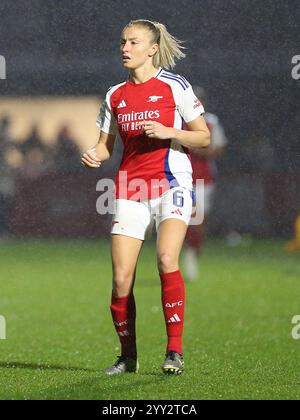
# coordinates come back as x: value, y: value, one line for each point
x: 170, y: 48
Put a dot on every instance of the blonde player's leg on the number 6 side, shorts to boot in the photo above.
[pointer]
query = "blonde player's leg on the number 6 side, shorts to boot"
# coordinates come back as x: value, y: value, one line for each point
x: 173, y: 213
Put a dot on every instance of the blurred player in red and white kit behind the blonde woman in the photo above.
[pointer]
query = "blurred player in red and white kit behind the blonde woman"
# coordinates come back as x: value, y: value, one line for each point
x: 204, y: 168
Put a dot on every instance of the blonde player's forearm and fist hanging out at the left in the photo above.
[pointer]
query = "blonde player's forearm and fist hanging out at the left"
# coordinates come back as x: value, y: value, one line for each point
x: 103, y: 150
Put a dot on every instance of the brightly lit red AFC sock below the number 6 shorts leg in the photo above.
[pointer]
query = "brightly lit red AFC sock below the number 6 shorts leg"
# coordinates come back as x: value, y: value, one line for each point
x: 173, y: 300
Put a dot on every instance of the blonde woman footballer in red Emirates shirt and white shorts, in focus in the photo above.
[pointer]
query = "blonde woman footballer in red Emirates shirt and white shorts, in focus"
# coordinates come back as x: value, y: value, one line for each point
x: 154, y: 182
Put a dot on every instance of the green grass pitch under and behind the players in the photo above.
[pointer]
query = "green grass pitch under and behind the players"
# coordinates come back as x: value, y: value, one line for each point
x: 238, y: 332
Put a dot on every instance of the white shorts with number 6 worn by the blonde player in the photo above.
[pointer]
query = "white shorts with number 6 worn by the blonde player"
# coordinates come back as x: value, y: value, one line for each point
x: 136, y: 219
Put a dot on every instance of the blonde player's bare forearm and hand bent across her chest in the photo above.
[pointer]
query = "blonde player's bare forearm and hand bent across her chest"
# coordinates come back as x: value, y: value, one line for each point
x: 197, y: 136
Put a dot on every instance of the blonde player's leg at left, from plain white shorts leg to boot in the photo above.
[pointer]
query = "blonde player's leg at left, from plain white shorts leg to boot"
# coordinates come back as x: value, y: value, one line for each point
x: 129, y: 226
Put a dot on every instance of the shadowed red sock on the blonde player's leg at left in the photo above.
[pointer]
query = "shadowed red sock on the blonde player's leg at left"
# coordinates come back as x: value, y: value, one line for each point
x: 123, y: 313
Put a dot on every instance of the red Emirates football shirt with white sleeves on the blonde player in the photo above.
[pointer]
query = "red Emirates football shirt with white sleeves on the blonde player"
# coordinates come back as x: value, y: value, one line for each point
x: 150, y: 166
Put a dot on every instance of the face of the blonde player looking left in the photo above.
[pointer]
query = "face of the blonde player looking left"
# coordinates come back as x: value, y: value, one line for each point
x: 136, y: 47
